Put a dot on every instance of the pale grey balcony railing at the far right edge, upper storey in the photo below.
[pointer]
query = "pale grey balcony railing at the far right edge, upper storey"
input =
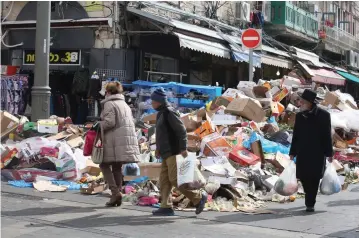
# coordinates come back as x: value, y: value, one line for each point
x: 341, y: 38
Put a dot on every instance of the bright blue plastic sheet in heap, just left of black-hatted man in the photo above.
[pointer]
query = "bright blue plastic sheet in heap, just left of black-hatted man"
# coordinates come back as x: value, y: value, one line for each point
x: 267, y: 145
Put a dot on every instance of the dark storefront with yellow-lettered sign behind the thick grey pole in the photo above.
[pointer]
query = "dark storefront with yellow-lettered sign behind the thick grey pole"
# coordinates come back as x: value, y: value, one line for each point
x: 72, y: 60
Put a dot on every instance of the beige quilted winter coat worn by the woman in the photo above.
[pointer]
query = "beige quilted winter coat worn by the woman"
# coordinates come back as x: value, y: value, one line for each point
x: 120, y: 143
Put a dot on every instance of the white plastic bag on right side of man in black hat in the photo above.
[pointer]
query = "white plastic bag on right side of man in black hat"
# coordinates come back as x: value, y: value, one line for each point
x: 331, y: 182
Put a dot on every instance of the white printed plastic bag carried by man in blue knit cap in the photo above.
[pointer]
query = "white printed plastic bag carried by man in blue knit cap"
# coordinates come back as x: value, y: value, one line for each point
x: 188, y: 174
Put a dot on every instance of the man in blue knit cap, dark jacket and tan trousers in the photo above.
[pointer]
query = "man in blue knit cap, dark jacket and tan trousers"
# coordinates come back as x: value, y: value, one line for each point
x: 171, y: 140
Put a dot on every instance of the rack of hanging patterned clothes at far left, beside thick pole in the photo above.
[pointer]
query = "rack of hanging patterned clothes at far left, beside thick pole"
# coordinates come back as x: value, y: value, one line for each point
x: 14, y: 93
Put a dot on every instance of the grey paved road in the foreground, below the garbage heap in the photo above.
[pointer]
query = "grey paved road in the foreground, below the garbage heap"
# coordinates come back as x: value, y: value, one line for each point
x: 28, y: 213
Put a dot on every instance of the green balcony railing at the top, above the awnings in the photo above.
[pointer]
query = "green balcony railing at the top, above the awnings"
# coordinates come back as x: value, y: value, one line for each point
x: 293, y: 17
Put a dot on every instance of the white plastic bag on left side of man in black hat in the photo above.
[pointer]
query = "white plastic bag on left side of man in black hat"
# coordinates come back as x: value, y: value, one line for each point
x: 287, y: 183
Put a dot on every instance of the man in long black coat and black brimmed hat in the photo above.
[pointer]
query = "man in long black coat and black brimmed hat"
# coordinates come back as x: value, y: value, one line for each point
x: 311, y: 145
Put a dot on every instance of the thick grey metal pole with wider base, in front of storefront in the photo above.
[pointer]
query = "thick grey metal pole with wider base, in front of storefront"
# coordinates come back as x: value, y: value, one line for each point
x: 41, y: 90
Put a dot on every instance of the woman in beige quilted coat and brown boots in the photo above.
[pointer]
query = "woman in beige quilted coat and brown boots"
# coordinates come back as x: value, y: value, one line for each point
x: 120, y: 141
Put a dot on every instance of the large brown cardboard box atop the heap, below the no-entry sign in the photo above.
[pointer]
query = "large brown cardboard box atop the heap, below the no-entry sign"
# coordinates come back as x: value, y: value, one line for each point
x: 247, y: 108
